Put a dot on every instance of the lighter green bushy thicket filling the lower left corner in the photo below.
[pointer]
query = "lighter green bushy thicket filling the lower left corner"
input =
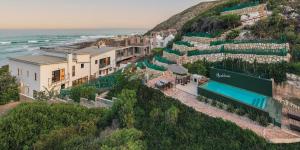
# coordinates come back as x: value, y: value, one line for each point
x: 24, y: 125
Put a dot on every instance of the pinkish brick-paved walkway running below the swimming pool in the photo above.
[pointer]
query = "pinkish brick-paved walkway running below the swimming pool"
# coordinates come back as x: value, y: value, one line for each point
x: 271, y: 133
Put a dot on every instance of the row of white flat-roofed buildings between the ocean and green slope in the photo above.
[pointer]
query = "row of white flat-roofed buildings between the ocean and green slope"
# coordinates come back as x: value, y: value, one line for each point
x: 60, y: 68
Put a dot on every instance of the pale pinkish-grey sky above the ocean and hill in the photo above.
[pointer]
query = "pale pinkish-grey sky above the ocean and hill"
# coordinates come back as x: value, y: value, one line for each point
x: 74, y: 14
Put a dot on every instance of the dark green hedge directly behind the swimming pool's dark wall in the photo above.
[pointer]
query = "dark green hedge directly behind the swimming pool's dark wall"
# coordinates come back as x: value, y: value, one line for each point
x: 277, y: 71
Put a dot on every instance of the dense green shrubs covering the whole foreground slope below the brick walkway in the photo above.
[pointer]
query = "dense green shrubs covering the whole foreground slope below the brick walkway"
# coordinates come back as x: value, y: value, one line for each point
x: 148, y: 120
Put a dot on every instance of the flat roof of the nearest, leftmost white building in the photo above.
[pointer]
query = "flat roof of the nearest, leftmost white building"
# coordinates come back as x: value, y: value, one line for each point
x: 39, y: 59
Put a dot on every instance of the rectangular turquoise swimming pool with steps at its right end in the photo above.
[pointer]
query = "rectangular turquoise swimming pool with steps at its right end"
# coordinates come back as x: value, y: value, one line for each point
x: 240, y: 95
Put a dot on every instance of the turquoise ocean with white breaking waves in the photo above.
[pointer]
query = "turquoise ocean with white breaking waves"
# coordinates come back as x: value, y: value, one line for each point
x: 27, y: 42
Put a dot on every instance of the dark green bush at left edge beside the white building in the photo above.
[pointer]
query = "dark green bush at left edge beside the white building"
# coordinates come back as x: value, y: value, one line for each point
x: 9, y: 89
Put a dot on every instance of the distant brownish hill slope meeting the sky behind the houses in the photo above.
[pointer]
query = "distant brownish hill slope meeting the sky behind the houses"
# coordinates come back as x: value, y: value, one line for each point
x: 177, y: 21
